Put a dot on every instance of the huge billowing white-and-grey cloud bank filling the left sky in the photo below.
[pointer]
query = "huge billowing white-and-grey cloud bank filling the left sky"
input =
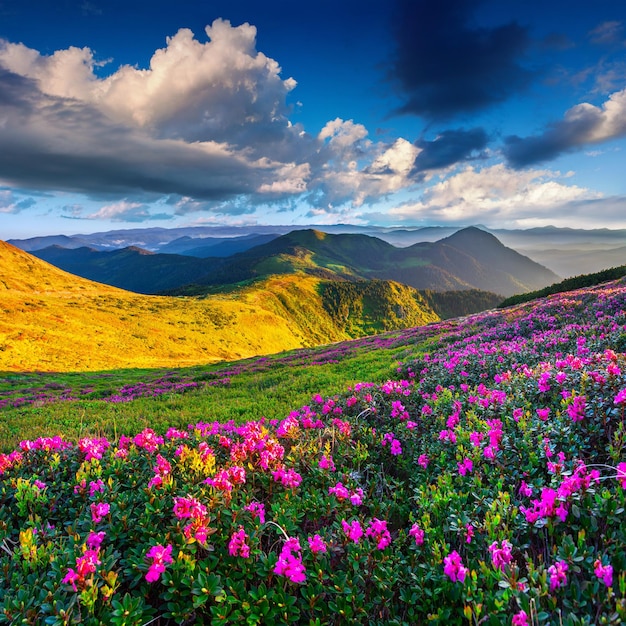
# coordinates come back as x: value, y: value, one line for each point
x: 207, y: 120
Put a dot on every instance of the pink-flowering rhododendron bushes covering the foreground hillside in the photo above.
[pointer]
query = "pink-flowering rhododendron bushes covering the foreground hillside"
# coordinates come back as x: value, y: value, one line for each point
x: 484, y: 484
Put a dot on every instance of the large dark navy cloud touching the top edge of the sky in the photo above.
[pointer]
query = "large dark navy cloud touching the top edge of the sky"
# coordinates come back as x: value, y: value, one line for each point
x: 444, y: 66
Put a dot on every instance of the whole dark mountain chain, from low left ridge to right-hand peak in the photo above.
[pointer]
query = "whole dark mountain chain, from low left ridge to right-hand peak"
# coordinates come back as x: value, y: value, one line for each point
x: 468, y: 259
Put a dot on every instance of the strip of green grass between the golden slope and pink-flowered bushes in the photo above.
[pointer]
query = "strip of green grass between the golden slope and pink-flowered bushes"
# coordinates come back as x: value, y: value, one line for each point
x: 272, y: 392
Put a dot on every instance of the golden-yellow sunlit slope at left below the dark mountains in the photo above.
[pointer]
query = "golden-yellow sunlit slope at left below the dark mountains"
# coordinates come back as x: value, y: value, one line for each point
x: 54, y: 321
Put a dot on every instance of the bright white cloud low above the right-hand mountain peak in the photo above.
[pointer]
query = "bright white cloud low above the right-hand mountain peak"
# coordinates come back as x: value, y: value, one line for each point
x: 497, y: 194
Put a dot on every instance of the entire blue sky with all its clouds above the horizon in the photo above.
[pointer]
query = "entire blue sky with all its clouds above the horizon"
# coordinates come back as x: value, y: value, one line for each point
x: 125, y: 114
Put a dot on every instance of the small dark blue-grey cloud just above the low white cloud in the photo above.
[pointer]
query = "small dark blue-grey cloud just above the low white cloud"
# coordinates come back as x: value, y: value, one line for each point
x: 450, y: 147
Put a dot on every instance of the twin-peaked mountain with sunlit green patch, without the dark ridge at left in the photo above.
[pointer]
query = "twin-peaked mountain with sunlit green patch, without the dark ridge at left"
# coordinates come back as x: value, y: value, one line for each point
x: 468, y: 259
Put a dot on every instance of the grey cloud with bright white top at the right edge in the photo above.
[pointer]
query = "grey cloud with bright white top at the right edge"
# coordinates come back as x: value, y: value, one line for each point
x: 582, y: 125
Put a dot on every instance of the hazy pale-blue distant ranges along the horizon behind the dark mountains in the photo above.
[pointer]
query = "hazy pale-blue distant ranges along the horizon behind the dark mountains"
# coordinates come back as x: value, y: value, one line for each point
x: 566, y: 251
